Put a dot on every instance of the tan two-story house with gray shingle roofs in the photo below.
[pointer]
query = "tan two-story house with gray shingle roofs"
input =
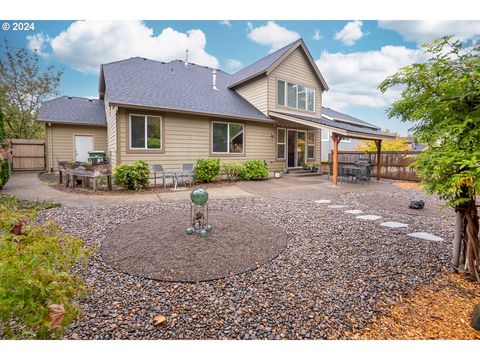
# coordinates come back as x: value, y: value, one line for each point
x: 177, y: 112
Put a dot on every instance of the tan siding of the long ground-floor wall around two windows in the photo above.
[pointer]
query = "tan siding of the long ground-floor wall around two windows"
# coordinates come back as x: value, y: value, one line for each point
x: 187, y: 138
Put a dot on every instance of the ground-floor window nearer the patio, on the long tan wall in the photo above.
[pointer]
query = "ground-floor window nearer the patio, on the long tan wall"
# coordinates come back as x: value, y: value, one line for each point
x: 227, y: 138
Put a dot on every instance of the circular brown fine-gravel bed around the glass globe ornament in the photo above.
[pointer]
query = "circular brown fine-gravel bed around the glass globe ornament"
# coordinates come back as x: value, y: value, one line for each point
x: 157, y: 247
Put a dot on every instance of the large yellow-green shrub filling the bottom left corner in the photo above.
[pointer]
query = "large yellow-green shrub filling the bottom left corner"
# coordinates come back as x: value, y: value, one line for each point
x: 37, y: 279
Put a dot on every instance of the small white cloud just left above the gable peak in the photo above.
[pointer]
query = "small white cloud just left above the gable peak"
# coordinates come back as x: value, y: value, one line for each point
x: 272, y: 35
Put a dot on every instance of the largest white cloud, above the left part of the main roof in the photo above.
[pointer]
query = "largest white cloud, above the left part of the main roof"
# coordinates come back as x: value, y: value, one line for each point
x: 87, y: 44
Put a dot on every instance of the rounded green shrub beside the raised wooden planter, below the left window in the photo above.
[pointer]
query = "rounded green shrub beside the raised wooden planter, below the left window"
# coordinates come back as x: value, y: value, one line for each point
x: 132, y: 176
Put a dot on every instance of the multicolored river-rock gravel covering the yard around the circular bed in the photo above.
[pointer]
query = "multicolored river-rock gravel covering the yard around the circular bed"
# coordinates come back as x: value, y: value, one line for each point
x: 336, y: 273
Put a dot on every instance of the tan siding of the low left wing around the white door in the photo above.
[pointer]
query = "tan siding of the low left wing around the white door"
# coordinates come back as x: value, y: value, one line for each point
x: 60, y: 141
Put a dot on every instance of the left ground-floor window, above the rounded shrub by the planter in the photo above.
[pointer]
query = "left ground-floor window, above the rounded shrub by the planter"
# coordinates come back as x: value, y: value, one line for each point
x: 145, y: 132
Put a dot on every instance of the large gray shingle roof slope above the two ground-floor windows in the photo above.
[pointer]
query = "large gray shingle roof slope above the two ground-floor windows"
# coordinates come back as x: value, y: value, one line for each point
x: 172, y: 85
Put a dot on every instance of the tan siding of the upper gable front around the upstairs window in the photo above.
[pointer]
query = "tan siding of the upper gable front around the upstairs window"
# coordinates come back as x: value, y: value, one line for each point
x: 297, y: 69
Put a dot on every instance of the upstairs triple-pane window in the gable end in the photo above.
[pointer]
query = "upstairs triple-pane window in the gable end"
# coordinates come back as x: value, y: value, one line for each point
x: 297, y: 96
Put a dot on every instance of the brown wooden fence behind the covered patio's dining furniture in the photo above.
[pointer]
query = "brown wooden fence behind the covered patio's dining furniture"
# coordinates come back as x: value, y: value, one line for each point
x: 395, y: 164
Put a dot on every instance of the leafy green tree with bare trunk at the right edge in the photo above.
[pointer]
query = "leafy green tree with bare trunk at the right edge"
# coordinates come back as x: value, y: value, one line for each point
x: 442, y: 99
